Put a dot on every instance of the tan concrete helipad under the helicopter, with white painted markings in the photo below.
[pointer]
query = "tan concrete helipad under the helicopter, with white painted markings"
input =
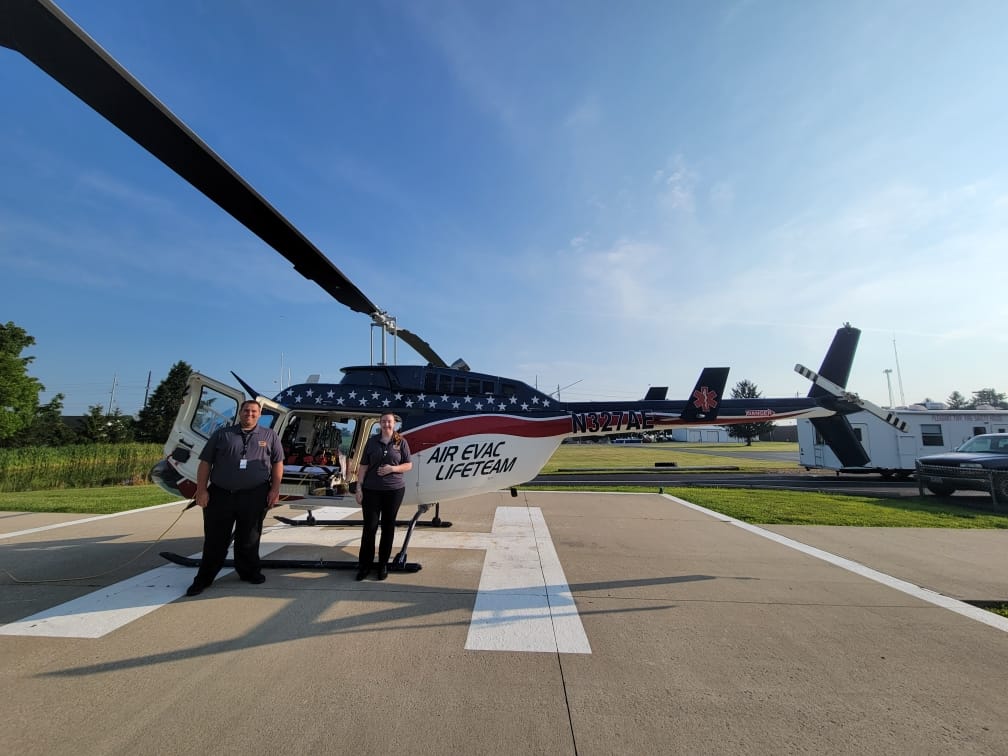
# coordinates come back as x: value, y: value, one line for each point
x: 549, y: 623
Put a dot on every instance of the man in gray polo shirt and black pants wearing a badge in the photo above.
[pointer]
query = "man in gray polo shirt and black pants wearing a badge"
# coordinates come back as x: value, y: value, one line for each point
x: 237, y: 481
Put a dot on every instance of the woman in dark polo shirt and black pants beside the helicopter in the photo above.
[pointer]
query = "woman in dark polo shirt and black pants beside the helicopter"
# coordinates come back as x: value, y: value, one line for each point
x: 381, y: 488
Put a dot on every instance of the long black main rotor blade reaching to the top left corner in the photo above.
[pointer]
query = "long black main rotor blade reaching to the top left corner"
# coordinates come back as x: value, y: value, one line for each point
x: 47, y: 37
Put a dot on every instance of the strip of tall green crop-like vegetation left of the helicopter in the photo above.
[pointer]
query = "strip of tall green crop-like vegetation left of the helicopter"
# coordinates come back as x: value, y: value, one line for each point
x: 81, y: 466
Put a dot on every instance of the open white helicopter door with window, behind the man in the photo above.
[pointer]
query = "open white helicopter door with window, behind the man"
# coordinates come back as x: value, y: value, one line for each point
x: 208, y: 406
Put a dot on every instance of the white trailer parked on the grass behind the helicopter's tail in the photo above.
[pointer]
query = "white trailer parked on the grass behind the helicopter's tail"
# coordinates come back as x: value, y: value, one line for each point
x: 894, y: 453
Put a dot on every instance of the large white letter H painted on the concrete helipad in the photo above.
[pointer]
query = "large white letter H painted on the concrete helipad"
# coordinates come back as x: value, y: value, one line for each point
x: 524, y: 602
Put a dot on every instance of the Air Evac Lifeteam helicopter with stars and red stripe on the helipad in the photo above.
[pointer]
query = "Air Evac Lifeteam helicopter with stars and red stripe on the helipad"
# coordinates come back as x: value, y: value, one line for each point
x: 469, y: 433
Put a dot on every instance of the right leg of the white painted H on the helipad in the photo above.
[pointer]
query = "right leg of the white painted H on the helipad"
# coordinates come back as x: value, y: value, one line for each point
x: 525, y: 603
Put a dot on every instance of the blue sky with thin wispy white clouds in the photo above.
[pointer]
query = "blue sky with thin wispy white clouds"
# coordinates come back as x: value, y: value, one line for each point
x: 605, y: 195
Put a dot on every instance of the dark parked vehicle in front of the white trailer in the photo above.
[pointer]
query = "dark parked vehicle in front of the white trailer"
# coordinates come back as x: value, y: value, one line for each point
x: 979, y: 465
